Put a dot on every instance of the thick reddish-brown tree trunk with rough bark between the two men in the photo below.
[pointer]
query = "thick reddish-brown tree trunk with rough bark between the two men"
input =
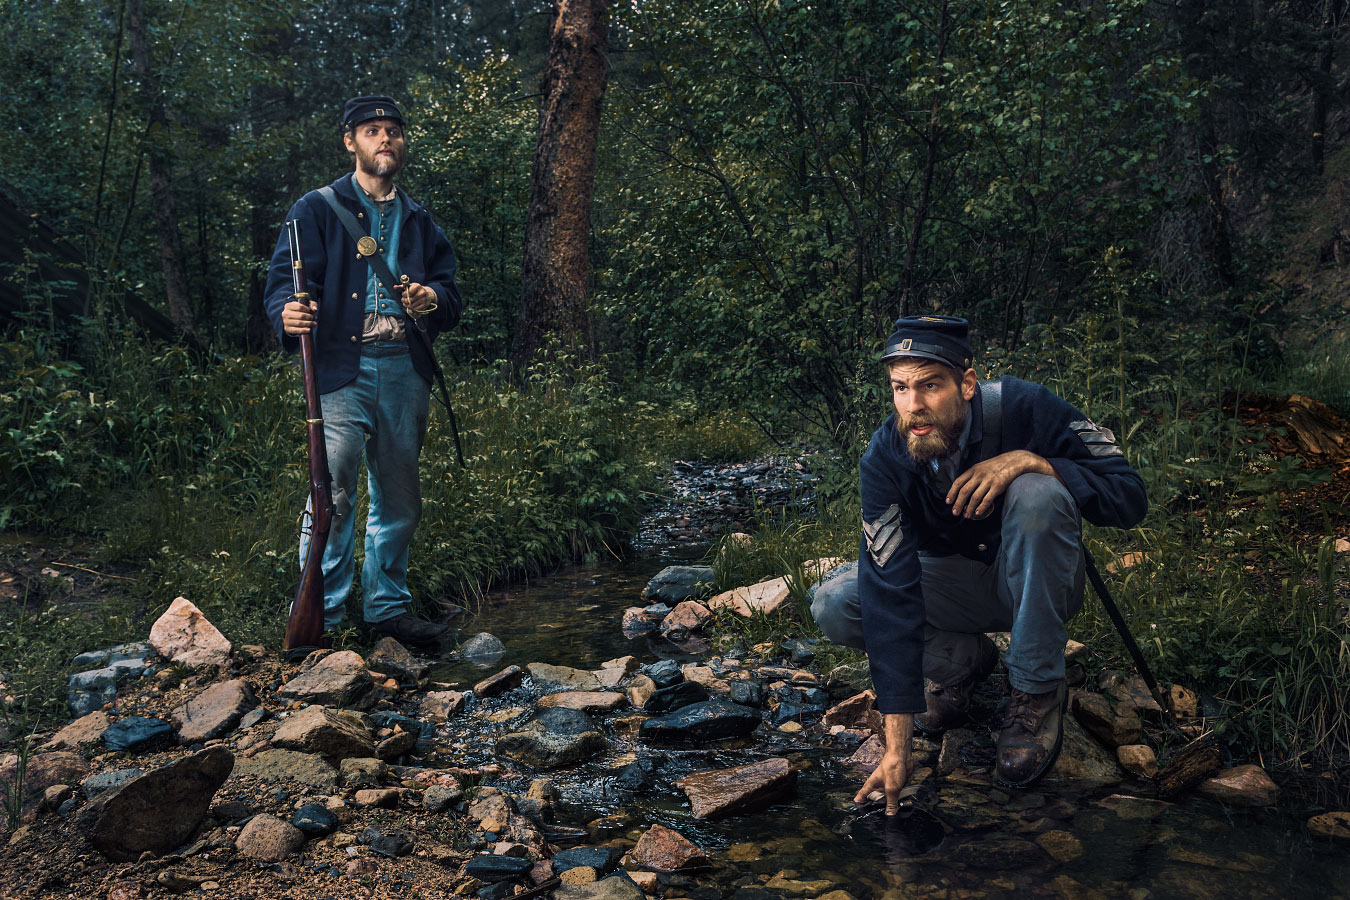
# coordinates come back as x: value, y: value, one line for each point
x: 557, y: 266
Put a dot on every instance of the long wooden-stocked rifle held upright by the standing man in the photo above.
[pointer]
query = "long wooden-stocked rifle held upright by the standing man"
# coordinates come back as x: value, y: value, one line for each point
x: 306, y: 628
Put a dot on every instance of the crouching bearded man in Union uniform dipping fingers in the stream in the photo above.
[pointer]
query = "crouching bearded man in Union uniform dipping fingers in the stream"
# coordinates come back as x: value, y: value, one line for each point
x: 973, y: 505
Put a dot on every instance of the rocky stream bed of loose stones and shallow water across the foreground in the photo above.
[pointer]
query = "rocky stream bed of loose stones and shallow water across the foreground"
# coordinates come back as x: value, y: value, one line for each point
x: 587, y: 740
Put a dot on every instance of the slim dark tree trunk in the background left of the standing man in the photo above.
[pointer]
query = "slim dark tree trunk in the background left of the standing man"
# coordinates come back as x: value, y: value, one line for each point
x: 161, y: 177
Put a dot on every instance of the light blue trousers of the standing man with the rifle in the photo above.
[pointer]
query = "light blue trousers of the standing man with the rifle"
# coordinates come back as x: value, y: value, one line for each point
x: 381, y: 415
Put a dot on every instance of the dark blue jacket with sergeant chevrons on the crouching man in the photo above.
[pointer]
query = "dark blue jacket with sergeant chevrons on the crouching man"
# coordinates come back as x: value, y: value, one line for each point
x: 1086, y: 459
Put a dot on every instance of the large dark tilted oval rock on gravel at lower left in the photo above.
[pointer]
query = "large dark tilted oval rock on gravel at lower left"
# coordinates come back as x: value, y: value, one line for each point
x: 160, y: 810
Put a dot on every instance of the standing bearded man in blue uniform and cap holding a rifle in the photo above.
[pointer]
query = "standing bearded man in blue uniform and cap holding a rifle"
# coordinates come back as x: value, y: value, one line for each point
x: 380, y: 271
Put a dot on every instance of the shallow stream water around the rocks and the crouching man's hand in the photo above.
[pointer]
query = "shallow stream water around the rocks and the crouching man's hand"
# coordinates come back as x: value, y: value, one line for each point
x: 962, y: 837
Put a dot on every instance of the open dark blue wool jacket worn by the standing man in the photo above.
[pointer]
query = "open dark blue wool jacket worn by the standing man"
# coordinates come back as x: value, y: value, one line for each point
x: 338, y: 280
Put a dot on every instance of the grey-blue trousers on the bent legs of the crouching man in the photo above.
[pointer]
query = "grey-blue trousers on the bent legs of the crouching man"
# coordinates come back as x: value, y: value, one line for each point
x: 1032, y: 590
